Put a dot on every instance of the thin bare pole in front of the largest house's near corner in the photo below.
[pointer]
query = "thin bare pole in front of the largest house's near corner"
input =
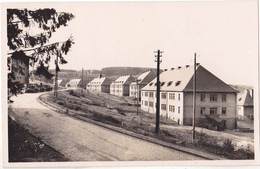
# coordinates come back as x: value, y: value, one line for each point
x: 194, y: 100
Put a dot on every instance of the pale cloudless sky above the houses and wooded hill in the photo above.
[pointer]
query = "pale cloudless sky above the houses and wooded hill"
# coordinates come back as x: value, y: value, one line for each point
x: 223, y: 34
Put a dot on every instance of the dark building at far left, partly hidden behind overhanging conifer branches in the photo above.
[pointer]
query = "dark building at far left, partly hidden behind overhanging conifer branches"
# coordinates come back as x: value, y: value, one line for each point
x: 20, y: 67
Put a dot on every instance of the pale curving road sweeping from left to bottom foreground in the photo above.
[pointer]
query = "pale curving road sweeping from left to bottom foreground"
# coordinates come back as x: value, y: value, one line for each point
x: 82, y: 141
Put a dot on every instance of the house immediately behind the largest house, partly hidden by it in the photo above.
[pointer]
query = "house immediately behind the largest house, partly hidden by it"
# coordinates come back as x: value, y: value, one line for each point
x: 143, y: 79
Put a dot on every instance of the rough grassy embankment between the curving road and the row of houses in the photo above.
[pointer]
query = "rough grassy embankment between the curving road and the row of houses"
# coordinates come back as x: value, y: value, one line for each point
x: 121, y: 112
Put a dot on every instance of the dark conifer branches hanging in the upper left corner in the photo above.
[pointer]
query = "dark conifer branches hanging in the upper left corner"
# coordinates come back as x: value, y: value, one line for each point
x: 30, y: 31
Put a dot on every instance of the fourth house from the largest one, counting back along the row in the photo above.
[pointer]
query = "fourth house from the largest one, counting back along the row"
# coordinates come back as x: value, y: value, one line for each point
x: 100, y: 84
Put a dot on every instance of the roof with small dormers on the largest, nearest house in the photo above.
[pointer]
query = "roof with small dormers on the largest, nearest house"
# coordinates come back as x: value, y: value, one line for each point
x: 181, y: 79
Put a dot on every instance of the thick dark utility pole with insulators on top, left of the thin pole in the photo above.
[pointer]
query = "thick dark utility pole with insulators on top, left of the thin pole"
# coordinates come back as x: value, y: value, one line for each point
x: 158, y: 90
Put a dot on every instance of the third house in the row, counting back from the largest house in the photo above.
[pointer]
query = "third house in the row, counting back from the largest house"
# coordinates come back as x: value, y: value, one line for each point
x: 120, y: 86
